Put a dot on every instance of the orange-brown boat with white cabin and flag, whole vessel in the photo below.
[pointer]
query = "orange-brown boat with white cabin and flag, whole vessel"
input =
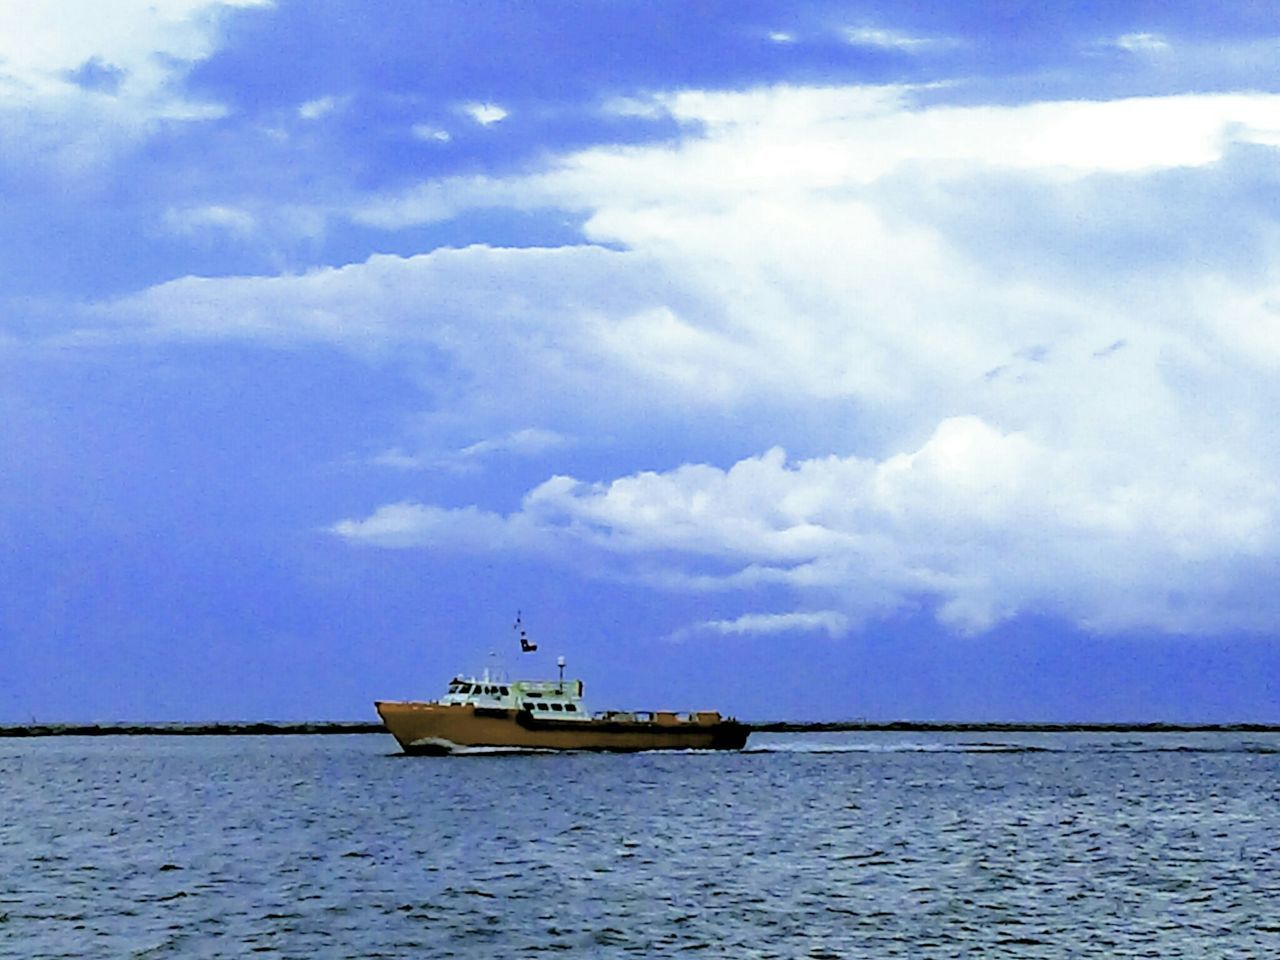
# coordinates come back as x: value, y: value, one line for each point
x: 490, y: 714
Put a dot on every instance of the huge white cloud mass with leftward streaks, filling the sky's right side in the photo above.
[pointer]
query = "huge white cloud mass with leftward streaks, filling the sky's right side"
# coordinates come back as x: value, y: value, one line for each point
x: 999, y: 413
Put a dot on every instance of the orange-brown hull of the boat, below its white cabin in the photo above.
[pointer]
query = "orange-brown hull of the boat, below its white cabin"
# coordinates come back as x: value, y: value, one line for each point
x: 433, y: 729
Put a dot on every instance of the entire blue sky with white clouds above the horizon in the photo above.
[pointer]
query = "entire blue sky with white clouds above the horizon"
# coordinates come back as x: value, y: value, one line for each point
x: 803, y: 362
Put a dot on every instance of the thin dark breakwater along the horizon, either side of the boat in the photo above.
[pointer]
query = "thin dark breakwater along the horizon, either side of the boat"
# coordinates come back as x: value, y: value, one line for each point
x: 328, y: 728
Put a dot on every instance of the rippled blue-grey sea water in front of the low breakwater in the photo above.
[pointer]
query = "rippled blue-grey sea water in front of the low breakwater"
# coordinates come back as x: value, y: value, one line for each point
x: 820, y: 845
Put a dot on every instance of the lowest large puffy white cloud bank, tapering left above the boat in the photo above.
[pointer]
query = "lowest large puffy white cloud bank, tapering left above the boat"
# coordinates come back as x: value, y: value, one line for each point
x: 977, y: 524
